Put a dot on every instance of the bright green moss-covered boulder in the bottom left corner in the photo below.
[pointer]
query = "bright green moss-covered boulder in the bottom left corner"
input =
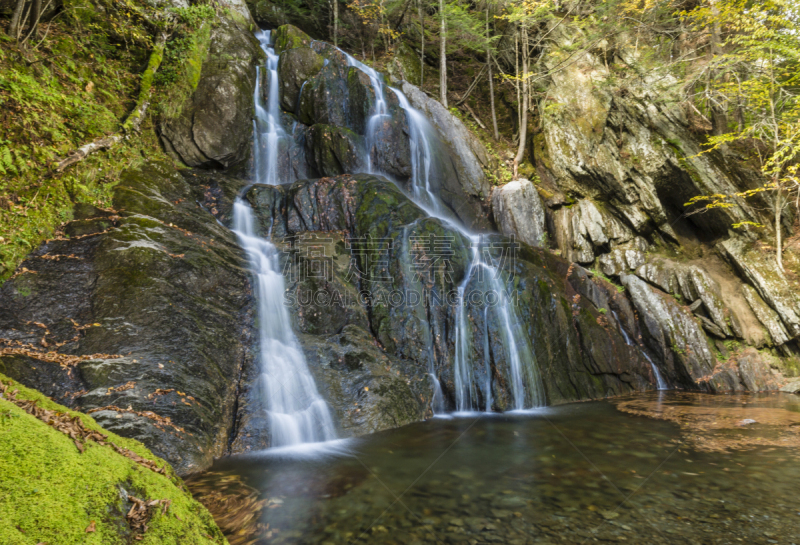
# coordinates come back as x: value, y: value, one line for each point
x: 58, y: 489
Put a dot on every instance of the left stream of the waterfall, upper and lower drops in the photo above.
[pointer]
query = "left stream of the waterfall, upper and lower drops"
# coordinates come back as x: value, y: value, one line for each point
x: 296, y: 412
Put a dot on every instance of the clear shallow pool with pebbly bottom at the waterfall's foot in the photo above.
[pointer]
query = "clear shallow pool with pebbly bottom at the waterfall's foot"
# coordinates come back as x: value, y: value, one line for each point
x: 665, y: 467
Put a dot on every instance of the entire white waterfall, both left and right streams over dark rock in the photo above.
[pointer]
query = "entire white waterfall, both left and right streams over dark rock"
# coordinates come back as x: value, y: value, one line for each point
x: 297, y: 412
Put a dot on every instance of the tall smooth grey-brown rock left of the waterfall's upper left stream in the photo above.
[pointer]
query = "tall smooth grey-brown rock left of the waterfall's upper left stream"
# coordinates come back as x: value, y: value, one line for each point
x: 214, y: 129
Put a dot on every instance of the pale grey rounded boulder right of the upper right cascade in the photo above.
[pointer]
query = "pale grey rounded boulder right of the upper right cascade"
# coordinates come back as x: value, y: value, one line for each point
x: 518, y: 212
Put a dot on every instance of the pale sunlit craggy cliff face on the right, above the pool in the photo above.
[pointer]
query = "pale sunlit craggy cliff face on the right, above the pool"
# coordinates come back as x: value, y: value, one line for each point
x: 615, y: 165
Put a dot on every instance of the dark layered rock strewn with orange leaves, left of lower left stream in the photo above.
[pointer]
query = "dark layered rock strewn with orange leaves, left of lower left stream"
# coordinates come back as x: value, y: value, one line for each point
x: 158, y: 295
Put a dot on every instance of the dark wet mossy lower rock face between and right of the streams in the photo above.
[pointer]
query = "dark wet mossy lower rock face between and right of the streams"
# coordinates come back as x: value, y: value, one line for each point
x: 578, y: 350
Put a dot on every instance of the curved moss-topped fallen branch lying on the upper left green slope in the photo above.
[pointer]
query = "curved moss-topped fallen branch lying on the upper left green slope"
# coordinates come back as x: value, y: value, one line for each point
x: 133, y: 121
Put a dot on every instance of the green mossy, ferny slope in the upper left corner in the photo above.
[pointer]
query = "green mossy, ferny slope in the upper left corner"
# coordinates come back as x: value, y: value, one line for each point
x: 78, y: 85
